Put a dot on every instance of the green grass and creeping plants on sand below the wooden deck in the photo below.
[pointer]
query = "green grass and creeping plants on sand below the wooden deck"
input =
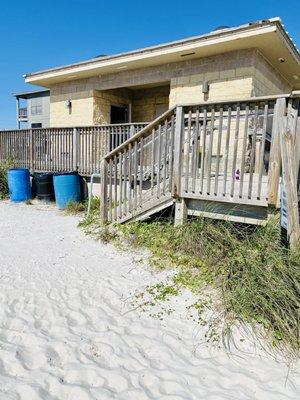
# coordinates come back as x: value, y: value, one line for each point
x: 254, y: 278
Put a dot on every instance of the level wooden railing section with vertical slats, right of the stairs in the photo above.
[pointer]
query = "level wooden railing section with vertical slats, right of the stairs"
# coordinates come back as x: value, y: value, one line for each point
x: 226, y: 151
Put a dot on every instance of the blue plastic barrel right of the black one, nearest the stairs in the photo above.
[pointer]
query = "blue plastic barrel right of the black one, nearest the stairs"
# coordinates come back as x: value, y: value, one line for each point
x: 67, y: 189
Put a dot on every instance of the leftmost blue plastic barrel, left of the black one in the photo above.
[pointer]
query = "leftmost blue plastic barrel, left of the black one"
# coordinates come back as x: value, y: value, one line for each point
x: 19, y: 184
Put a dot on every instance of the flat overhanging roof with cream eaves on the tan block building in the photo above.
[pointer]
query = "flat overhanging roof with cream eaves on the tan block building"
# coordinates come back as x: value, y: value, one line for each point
x: 269, y: 36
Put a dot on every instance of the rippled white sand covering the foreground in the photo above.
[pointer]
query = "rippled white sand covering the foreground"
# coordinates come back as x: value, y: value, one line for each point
x: 66, y: 333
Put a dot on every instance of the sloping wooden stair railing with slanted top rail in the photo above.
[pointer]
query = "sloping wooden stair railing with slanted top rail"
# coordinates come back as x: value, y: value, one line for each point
x: 138, y: 173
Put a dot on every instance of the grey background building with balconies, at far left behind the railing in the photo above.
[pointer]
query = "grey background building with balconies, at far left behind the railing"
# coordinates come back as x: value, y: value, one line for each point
x: 35, y: 113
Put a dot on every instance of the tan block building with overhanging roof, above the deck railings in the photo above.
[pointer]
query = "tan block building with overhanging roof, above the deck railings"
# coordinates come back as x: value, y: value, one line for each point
x: 255, y: 59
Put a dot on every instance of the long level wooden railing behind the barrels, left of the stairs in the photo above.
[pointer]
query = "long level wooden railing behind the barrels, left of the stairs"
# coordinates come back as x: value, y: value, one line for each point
x: 63, y: 149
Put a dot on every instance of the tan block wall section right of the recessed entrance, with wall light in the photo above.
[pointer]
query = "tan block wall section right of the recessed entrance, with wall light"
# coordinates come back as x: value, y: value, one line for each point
x: 240, y: 75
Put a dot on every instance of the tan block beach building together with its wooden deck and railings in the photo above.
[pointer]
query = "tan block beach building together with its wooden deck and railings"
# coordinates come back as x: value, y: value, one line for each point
x: 221, y: 104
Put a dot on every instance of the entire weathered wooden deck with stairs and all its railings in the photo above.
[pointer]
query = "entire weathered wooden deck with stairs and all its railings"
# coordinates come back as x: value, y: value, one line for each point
x: 221, y: 159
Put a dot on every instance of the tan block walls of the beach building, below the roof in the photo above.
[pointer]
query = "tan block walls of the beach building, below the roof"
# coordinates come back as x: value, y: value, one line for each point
x: 238, y: 74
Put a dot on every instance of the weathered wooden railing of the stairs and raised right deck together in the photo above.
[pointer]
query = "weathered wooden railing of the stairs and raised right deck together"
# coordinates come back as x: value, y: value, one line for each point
x: 222, y: 152
